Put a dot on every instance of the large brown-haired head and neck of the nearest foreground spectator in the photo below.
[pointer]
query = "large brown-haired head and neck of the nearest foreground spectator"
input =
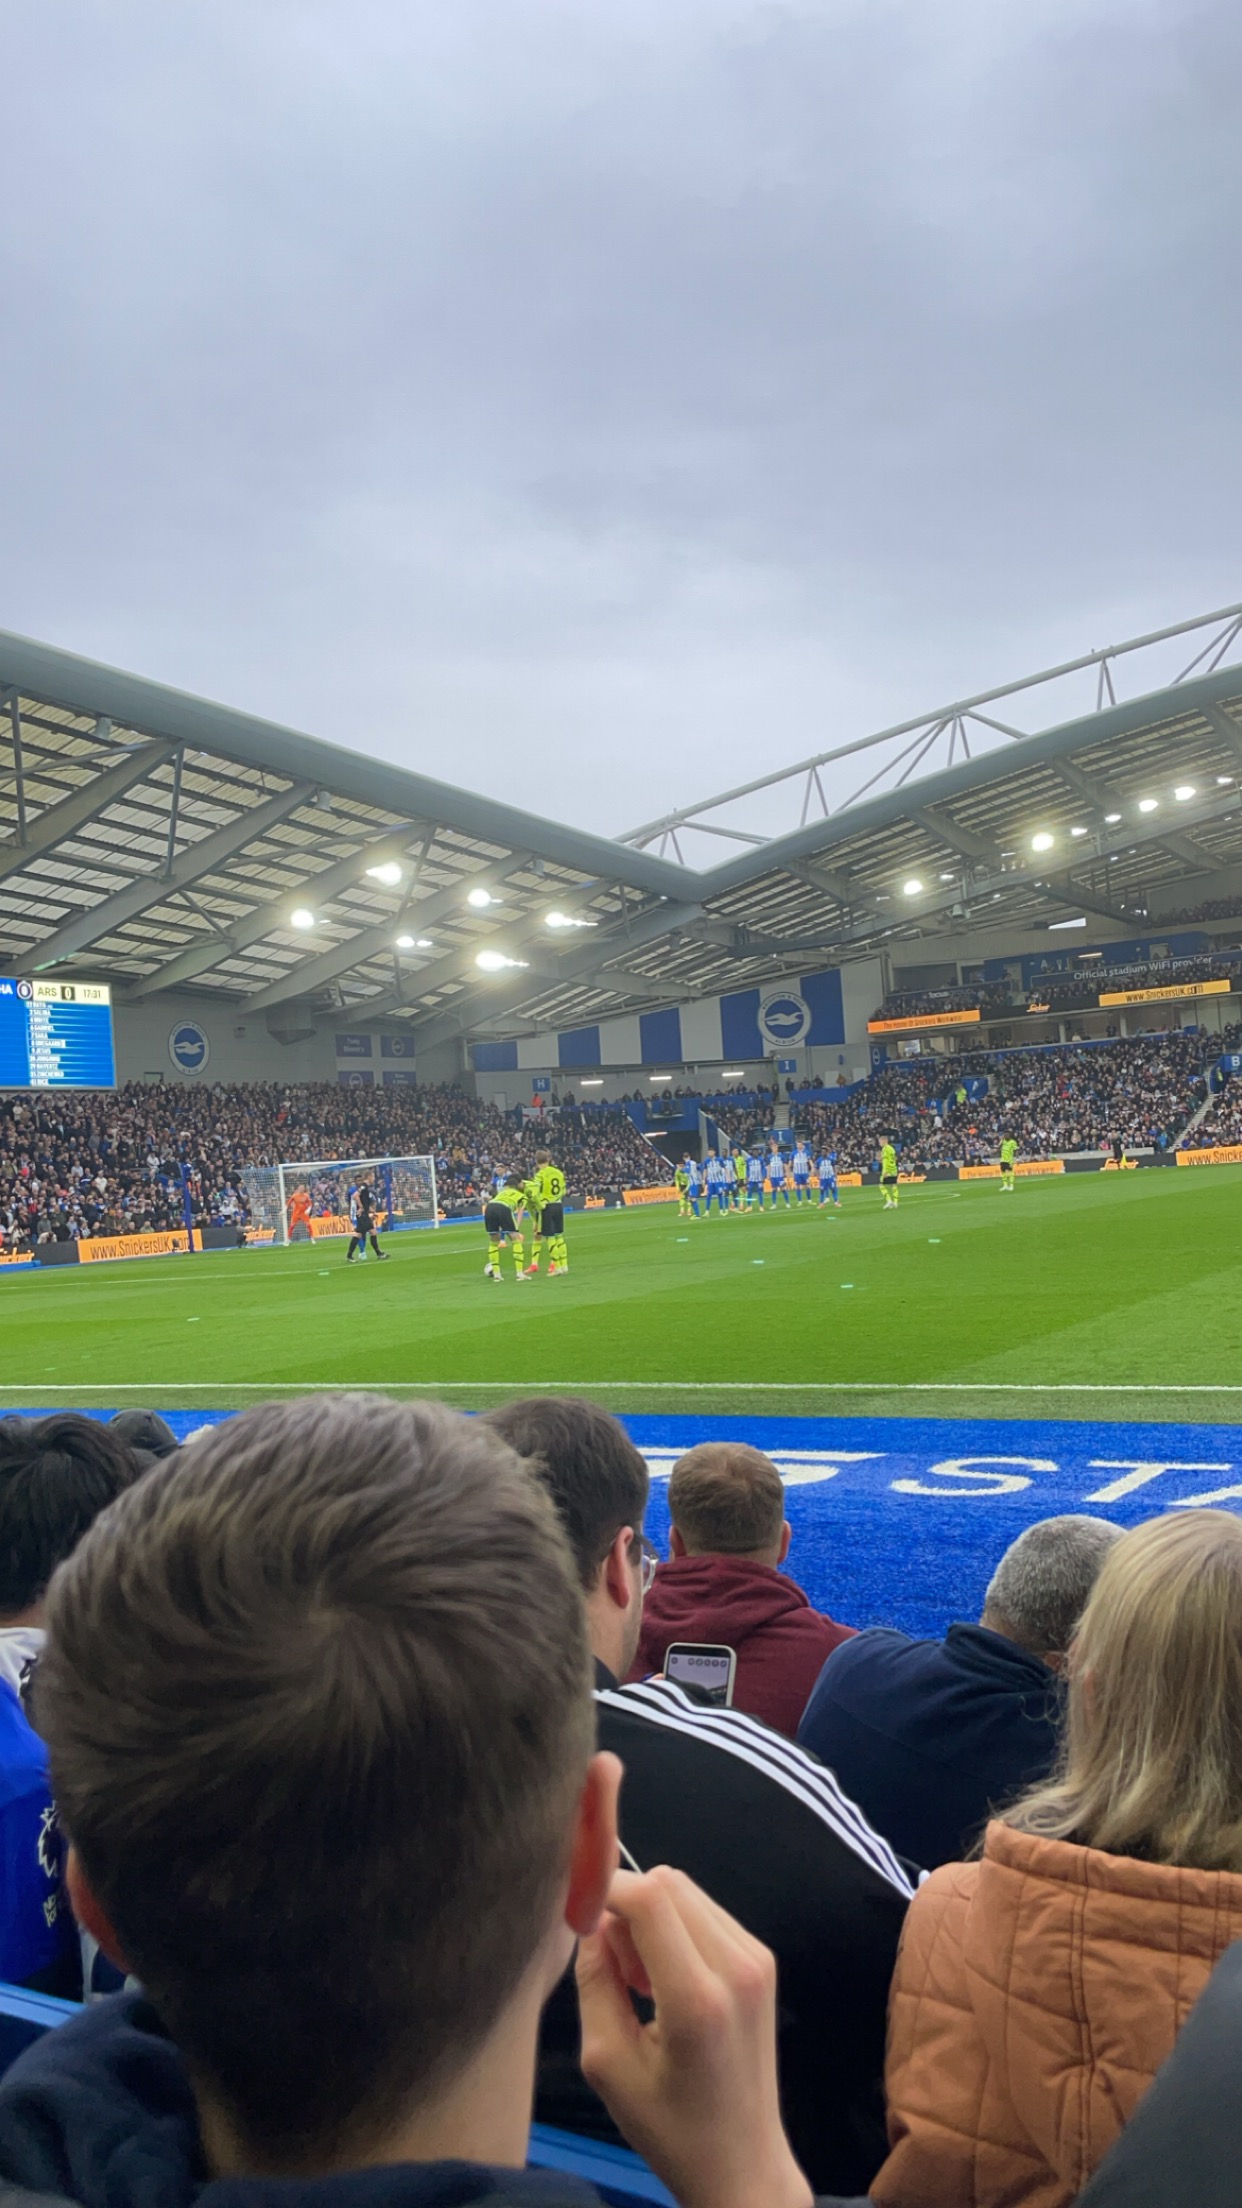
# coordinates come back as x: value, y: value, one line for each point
x: 319, y: 1717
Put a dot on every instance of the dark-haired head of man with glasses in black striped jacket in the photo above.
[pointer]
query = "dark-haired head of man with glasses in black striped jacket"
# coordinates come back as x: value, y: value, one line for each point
x: 600, y: 1487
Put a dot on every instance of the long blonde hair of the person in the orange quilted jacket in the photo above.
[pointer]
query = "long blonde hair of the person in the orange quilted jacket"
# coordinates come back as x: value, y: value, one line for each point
x: 1152, y: 1756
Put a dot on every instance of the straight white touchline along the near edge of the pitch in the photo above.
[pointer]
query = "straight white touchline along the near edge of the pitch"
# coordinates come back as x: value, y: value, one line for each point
x: 675, y: 1388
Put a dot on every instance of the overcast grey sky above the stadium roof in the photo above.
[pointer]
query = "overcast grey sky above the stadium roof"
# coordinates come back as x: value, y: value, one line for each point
x: 604, y: 401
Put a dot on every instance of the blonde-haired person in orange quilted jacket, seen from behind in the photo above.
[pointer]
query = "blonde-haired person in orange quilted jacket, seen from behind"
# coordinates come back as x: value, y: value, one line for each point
x: 1040, y: 1991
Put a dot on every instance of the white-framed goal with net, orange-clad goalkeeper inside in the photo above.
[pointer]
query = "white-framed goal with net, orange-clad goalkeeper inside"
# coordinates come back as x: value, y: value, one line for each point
x: 315, y: 1198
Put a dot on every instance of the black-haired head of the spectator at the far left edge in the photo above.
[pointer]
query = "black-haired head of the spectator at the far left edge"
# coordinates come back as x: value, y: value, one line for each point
x: 56, y: 1476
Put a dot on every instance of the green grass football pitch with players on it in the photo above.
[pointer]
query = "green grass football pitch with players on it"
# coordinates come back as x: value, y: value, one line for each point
x: 1082, y: 1297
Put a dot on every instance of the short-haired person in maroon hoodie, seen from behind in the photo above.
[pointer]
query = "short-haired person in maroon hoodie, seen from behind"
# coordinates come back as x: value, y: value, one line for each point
x: 724, y: 1584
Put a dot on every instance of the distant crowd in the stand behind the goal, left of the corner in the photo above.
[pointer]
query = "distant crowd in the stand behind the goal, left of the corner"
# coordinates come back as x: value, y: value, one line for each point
x: 109, y: 1163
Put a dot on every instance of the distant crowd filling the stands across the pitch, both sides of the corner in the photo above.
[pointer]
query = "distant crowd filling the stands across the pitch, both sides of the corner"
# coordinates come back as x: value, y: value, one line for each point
x: 112, y: 1163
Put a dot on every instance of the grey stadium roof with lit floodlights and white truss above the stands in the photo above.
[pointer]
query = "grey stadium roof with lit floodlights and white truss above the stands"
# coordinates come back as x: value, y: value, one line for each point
x: 169, y: 842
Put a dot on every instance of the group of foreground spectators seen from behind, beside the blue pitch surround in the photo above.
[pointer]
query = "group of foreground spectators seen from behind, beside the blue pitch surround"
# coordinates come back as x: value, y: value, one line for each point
x: 308, y: 1803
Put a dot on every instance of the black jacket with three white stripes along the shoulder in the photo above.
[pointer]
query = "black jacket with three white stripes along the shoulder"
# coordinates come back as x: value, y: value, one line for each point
x: 766, y: 1829
